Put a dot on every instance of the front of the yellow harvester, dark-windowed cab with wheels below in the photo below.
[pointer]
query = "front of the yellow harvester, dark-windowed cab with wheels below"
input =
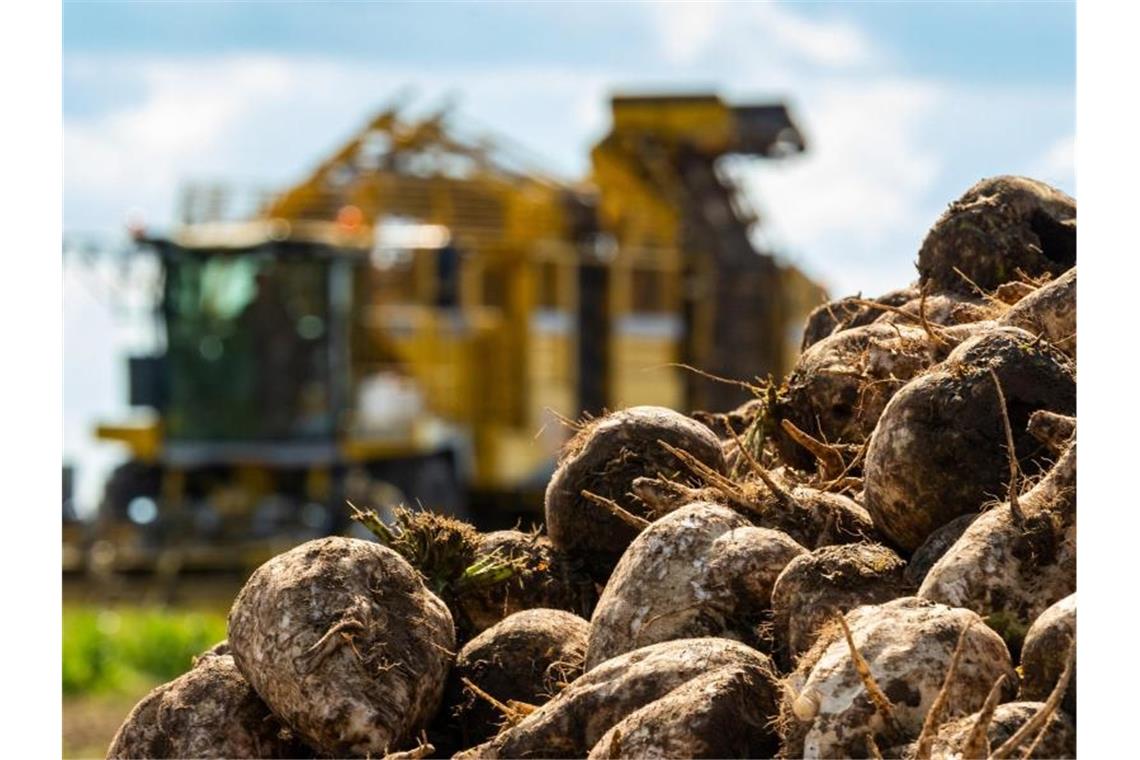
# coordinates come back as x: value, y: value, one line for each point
x: 262, y: 421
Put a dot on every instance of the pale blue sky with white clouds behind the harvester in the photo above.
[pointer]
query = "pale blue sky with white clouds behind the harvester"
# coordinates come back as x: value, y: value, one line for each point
x: 905, y: 107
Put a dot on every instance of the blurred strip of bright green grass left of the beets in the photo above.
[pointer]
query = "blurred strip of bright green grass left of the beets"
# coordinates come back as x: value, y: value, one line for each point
x: 125, y: 649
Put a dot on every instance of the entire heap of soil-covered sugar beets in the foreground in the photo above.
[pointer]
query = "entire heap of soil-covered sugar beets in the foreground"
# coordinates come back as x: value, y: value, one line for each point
x: 874, y: 558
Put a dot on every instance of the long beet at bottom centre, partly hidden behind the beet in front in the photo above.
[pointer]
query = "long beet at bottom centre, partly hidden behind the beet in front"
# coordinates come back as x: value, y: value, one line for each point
x: 574, y: 722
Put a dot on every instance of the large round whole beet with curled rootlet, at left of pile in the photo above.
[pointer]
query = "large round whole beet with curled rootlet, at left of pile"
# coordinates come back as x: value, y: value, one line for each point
x: 344, y: 642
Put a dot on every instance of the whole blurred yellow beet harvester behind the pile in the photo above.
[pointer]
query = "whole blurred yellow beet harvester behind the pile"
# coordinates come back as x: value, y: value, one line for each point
x: 416, y: 320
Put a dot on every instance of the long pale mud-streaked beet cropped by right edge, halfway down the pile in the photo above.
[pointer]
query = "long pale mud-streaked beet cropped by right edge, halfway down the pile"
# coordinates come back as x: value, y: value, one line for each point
x: 1012, y: 567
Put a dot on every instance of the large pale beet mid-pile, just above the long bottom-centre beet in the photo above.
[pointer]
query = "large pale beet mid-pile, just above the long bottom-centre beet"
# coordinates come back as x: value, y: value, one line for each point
x: 702, y: 570
